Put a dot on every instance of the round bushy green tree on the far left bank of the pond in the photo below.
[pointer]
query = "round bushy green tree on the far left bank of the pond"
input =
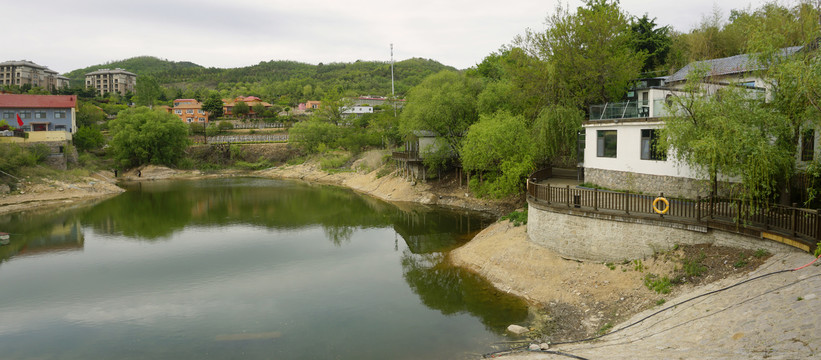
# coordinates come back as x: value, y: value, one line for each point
x: 145, y: 136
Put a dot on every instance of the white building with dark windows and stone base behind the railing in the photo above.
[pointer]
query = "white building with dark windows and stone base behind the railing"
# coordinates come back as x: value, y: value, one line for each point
x: 618, y: 137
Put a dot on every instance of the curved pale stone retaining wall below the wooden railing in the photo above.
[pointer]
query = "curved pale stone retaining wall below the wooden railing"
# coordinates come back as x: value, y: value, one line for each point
x: 581, y: 235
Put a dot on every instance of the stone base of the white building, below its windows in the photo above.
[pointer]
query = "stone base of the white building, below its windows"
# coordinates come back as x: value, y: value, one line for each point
x: 648, y: 184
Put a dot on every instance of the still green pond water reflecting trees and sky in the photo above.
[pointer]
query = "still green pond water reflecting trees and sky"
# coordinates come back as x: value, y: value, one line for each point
x: 244, y: 269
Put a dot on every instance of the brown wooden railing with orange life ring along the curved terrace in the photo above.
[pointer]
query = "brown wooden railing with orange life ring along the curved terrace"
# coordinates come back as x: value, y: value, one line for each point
x: 803, y: 225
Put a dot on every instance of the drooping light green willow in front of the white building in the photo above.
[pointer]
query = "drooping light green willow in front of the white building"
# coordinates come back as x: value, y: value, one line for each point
x: 731, y: 134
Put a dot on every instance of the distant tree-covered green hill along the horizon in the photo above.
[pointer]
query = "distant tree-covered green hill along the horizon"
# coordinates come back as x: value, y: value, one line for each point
x: 284, y: 81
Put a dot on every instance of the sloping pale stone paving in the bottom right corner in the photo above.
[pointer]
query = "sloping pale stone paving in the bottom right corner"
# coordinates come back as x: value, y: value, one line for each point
x: 776, y: 317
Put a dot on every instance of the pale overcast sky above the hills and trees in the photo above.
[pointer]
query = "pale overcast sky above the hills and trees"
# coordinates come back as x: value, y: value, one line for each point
x: 68, y: 35
